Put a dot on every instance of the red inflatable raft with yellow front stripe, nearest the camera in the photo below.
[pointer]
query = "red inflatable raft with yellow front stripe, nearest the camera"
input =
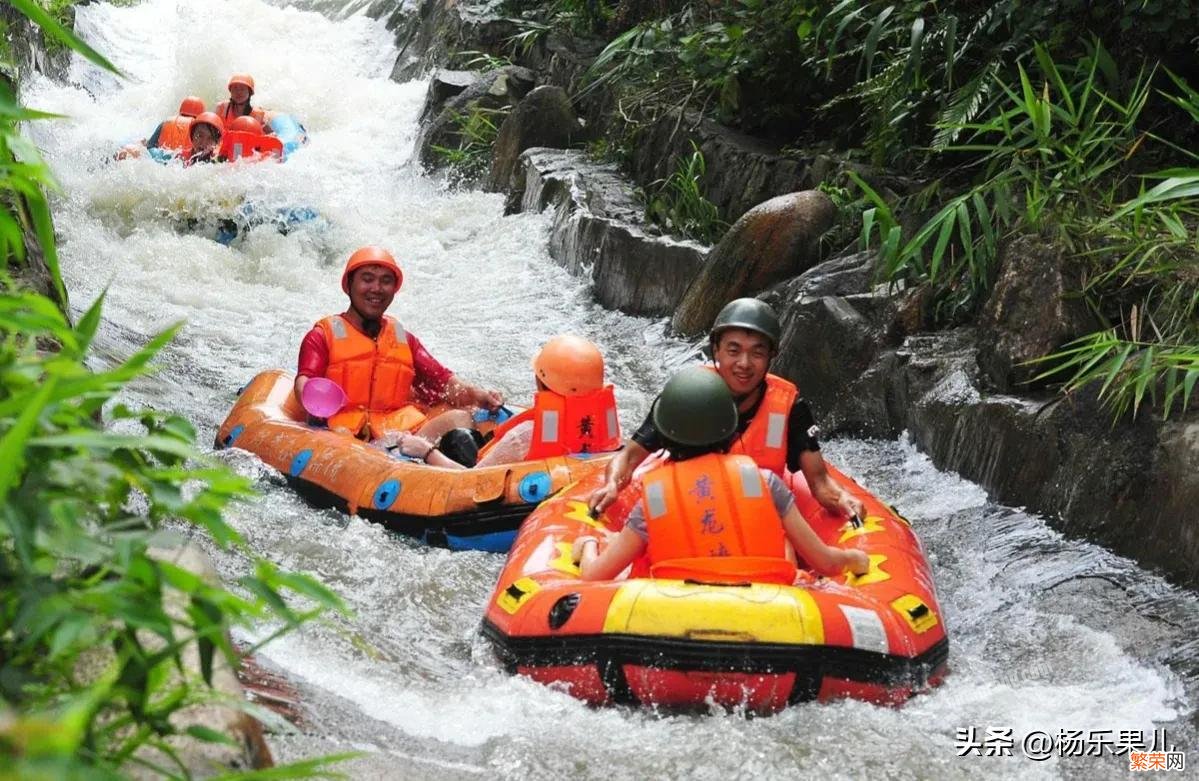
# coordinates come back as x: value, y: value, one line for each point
x: 686, y: 644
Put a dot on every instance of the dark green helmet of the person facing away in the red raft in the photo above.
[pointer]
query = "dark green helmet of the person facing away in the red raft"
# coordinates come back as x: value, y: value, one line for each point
x: 696, y: 408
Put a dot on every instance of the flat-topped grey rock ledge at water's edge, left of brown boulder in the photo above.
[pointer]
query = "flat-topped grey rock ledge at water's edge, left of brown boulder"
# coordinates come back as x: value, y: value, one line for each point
x: 599, y: 232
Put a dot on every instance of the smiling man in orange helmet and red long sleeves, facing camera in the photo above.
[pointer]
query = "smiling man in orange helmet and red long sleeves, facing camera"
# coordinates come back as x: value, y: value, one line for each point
x: 387, y: 374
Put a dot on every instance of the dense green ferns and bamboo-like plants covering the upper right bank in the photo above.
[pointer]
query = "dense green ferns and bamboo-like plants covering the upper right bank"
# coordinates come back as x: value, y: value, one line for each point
x: 1063, y: 119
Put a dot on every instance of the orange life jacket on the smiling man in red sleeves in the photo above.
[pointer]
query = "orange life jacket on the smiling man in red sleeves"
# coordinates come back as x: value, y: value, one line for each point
x: 377, y: 375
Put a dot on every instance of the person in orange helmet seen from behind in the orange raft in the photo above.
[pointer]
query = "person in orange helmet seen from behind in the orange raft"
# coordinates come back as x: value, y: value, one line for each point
x: 574, y: 411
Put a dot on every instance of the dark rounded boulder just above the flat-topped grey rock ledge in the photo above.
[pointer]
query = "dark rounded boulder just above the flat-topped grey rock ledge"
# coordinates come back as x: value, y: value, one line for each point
x: 545, y: 118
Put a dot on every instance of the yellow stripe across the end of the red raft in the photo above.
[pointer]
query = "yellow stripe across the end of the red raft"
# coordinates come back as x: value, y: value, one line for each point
x: 761, y: 612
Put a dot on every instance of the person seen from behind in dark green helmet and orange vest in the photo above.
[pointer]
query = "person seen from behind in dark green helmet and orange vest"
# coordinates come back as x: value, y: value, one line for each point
x: 709, y: 515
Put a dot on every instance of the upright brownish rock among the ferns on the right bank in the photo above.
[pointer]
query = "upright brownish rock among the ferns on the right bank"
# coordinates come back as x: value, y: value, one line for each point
x: 1029, y: 314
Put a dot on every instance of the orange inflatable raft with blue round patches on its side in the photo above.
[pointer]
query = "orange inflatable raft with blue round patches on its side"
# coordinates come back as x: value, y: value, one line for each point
x: 461, y: 509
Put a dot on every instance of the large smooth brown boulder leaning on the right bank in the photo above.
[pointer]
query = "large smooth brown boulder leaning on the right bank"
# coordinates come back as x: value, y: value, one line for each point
x: 773, y: 242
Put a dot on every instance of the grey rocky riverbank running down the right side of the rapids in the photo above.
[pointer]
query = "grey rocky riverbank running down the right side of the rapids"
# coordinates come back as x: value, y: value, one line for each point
x: 863, y: 355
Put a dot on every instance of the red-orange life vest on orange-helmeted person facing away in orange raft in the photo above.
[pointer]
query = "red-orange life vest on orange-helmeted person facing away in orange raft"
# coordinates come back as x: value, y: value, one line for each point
x: 564, y: 425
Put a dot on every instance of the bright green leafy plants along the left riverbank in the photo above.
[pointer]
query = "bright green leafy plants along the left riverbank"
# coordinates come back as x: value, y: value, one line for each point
x: 94, y: 628
